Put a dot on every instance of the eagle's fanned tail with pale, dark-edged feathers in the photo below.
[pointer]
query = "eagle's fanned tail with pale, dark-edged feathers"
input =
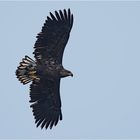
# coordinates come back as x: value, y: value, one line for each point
x: 26, y: 71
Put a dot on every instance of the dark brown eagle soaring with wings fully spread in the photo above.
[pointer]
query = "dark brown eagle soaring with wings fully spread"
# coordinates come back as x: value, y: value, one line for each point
x: 46, y: 71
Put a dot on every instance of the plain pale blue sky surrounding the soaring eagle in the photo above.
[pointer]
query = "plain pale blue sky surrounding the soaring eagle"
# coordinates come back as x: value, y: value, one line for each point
x: 102, y: 100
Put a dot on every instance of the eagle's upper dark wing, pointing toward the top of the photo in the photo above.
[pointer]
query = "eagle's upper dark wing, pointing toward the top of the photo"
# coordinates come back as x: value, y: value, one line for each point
x: 54, y: 36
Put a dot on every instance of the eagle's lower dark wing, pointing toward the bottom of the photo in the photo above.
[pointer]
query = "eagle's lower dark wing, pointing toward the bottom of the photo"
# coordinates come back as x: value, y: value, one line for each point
x: 46, y: 103
